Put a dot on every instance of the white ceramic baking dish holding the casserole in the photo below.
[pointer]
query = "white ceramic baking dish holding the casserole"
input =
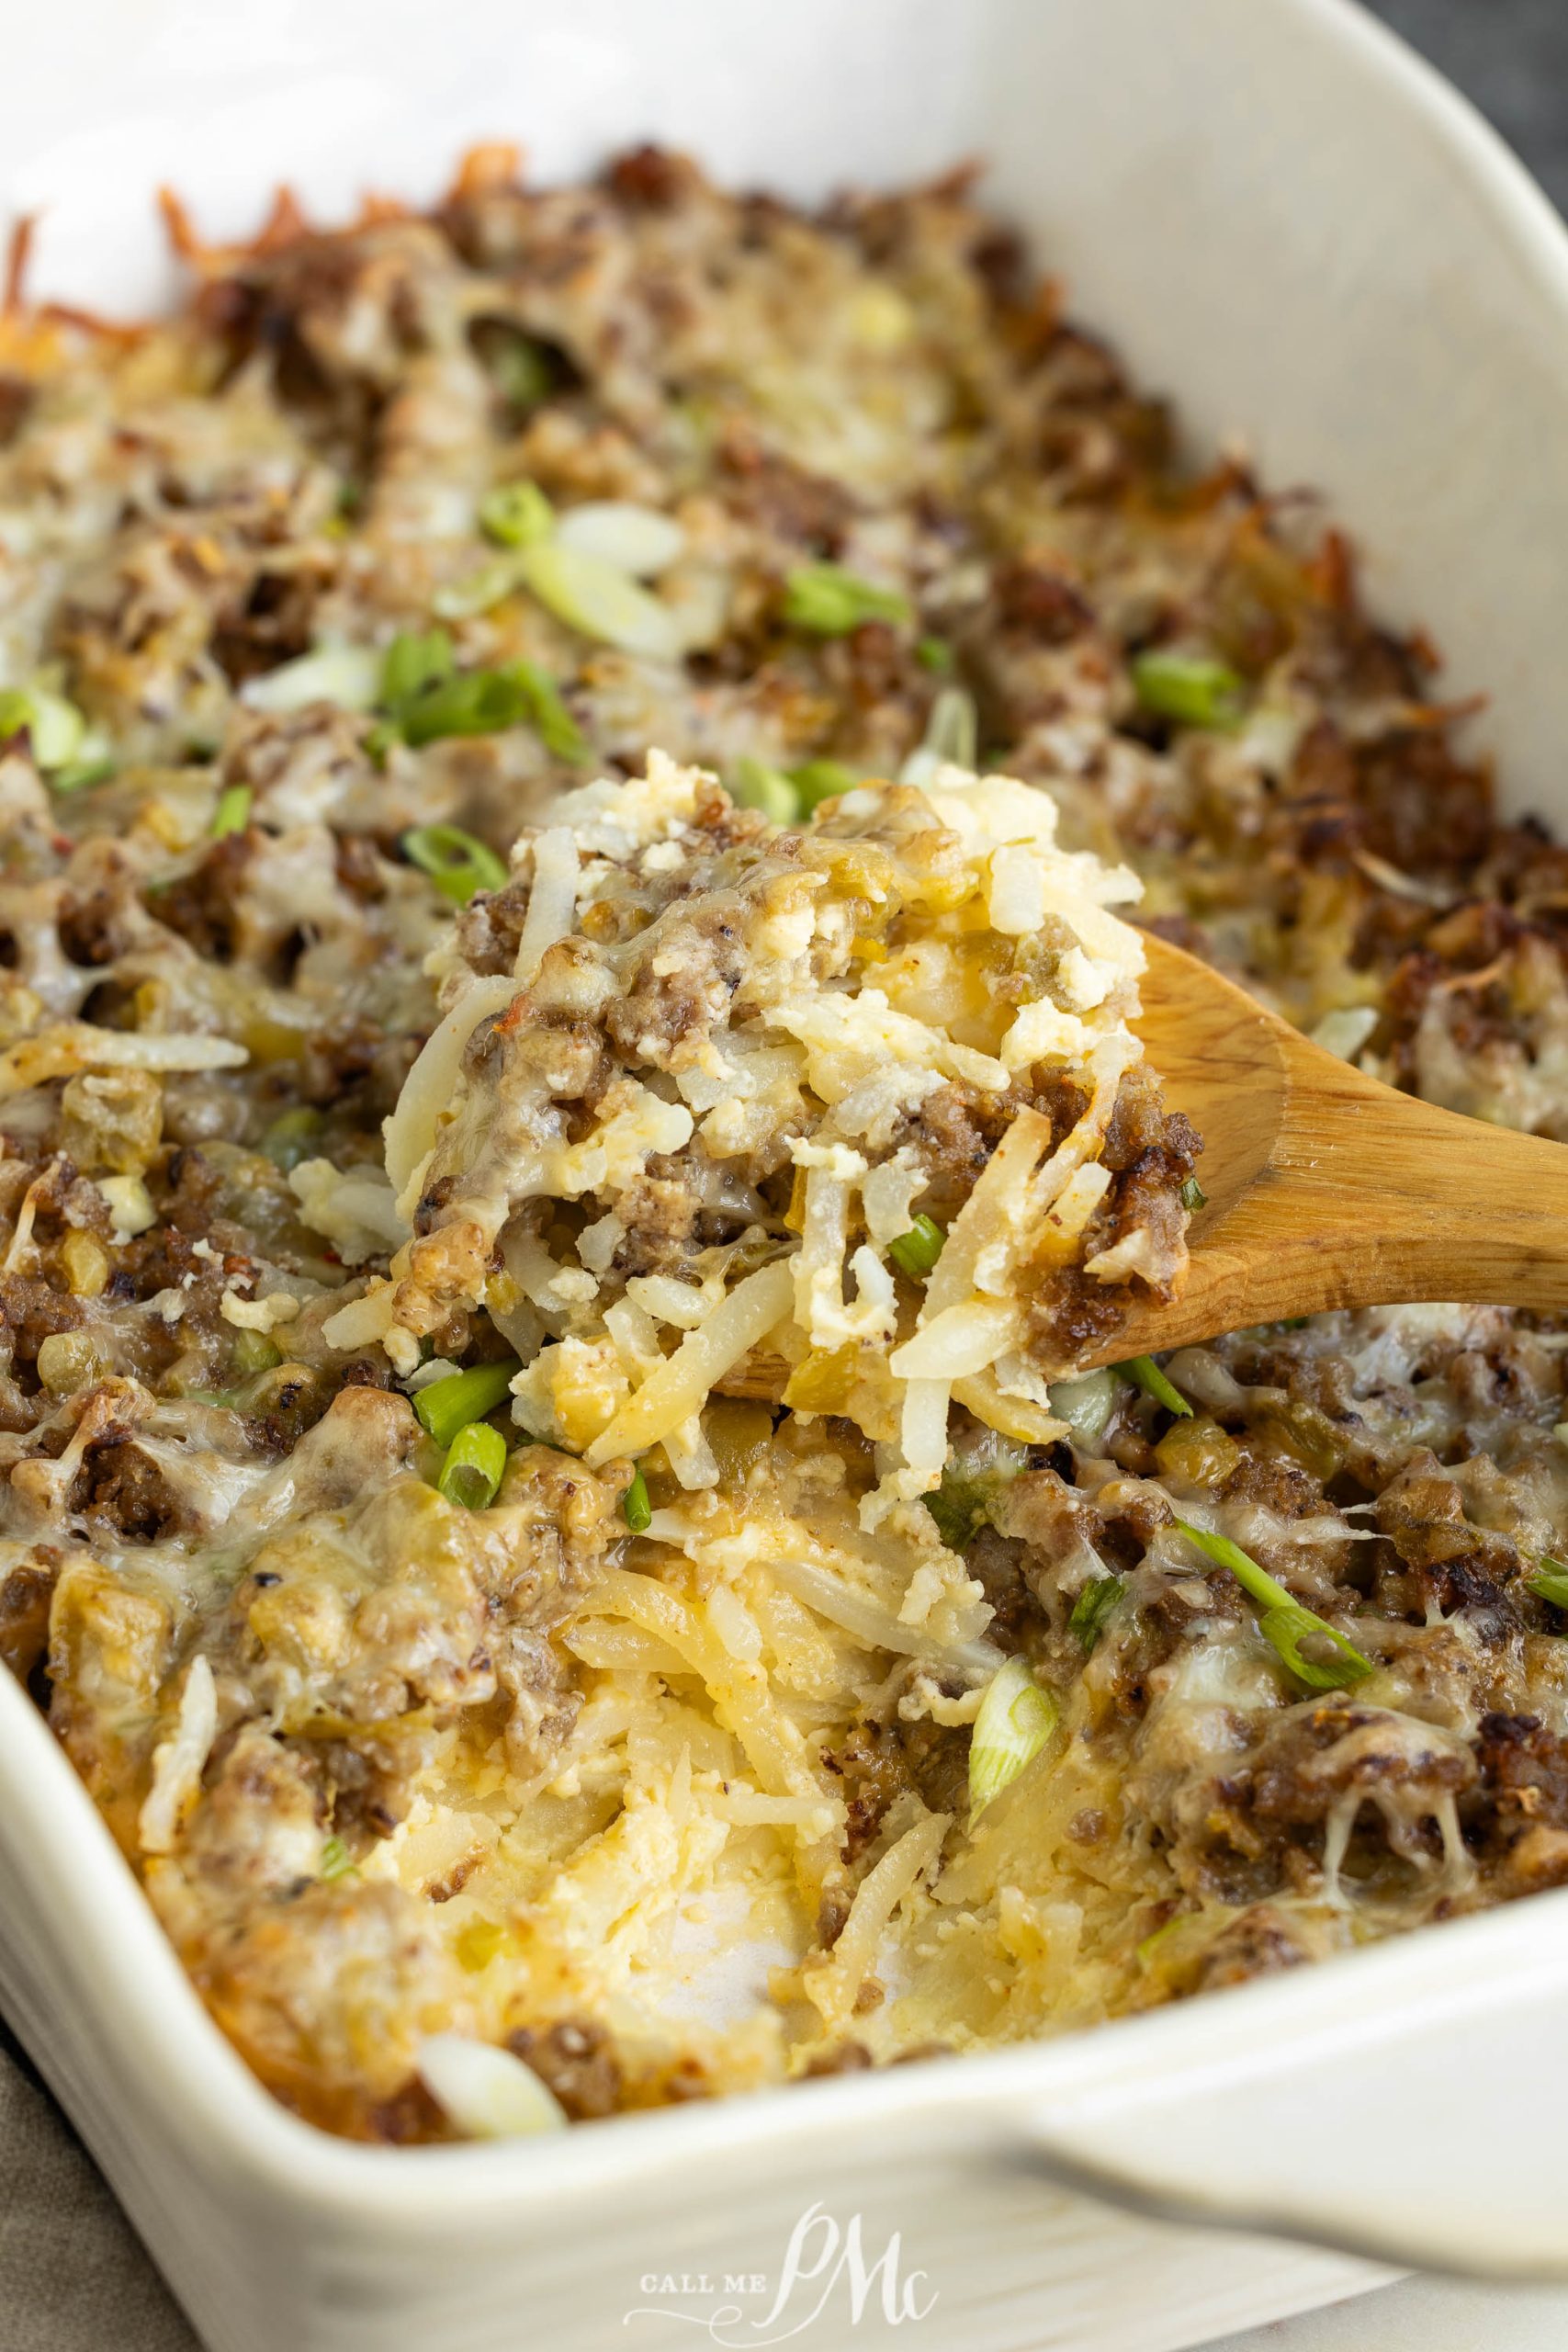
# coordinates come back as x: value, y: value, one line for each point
x: 1308, y: 239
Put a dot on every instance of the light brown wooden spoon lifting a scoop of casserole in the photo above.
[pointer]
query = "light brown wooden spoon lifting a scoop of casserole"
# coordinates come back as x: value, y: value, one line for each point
x: 1325, y: 1187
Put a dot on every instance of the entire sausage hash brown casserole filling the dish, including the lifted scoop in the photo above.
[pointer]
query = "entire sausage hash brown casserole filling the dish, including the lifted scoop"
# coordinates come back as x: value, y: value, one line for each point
x: 537, y: 1471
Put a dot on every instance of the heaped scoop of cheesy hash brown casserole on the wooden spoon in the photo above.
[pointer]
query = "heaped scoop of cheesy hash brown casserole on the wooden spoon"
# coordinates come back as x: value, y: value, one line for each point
x: 709, y: 1095
